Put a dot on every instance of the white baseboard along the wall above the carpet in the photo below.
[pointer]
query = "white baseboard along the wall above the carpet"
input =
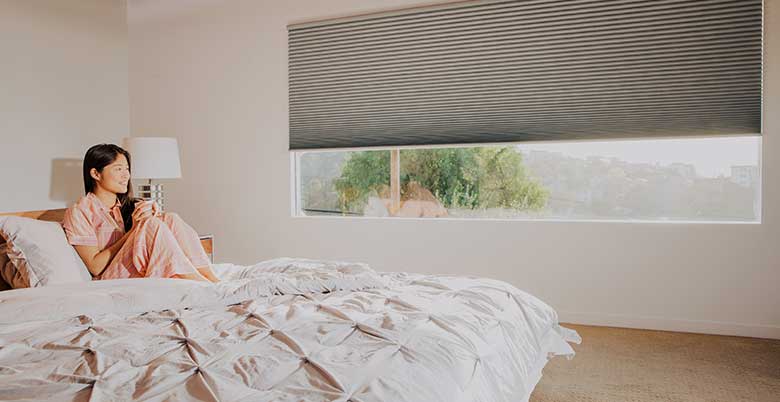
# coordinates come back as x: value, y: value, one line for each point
x: 665, y: 324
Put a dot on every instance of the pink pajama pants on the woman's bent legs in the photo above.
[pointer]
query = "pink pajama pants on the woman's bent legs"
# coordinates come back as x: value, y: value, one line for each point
x: 159, y: 247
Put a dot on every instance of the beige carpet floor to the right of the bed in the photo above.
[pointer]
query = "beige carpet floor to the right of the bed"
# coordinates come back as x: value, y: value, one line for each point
x: 629, y: 365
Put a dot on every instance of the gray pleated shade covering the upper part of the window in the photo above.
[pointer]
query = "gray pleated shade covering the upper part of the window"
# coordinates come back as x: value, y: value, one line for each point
x: 504, y: 71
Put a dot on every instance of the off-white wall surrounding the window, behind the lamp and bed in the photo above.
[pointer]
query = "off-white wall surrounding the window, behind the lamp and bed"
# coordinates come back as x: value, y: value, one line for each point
x: 214, y: 74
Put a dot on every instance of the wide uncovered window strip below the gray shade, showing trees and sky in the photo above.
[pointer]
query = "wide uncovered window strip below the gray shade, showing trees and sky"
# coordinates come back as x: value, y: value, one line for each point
x: 705, y: 179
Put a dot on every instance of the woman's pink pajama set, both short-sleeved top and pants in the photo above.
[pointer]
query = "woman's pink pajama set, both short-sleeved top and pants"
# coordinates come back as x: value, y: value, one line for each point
x: 158, y: 247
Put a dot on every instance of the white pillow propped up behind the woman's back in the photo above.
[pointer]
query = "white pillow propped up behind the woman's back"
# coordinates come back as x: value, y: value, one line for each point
x: 40, y: 254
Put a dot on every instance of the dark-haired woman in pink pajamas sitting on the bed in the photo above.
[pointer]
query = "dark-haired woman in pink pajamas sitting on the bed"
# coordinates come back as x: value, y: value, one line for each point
x: 121, y: 237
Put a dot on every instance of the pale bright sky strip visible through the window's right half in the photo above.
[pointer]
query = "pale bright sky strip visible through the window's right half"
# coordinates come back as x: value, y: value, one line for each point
x: 712, y: 157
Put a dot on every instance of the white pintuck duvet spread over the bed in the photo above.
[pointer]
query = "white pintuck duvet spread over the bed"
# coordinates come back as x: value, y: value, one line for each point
x: 281, y: 330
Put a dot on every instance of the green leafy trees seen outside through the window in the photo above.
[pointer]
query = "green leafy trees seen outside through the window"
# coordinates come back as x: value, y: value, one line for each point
x: 472, y: 178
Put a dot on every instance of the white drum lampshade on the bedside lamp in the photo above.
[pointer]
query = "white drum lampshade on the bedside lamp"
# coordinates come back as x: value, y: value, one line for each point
x: 153, y: 157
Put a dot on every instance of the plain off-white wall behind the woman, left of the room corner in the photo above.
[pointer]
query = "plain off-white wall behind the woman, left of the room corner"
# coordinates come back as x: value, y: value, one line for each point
x: 63, y: 88
